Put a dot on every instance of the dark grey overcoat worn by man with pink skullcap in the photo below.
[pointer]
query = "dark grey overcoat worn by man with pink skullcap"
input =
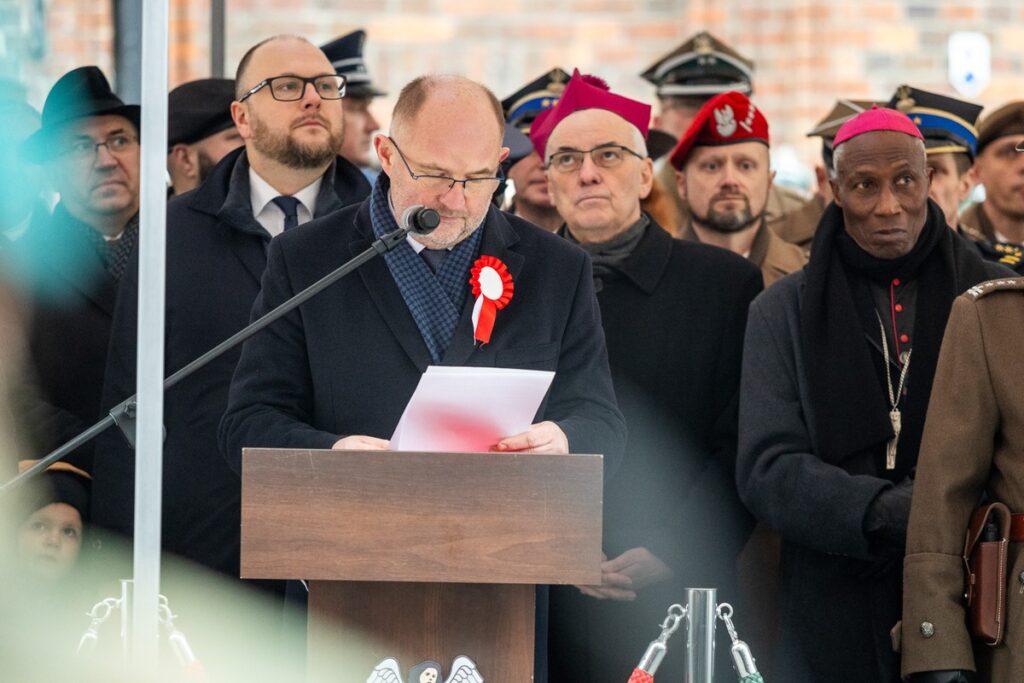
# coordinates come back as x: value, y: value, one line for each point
x: 839, y: 601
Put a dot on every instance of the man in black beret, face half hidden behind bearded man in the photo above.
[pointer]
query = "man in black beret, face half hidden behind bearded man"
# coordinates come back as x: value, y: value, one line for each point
x: 200, y: 131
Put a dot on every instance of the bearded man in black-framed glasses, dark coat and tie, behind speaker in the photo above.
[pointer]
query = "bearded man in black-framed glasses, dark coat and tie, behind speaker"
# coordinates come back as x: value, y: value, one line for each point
x: 288, y: 110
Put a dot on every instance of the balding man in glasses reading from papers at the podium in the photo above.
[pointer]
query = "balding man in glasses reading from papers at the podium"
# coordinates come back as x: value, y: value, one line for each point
x: 338, y: 372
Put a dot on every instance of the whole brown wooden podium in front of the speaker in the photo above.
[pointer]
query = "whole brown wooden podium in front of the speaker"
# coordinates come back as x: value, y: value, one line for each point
x: 428, y: 556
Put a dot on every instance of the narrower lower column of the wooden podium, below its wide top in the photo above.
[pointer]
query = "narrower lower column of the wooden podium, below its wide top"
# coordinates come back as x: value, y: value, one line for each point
x: 492, y: 624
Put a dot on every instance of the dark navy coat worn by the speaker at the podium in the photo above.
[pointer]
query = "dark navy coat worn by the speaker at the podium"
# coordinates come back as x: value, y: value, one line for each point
x: 349, y: 361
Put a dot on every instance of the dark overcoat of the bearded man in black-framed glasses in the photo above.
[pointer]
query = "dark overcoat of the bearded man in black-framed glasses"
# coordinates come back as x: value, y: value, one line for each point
x: 217, y: 253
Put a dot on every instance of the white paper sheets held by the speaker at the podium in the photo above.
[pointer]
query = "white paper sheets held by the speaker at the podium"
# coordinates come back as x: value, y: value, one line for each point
x: 467, y: 410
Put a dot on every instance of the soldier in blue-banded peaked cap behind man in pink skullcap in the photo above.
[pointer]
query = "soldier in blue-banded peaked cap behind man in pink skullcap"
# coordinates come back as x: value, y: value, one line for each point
x: 951, y: 141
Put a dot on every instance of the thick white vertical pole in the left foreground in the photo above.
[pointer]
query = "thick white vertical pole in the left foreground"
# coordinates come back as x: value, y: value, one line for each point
x: 150, y: 368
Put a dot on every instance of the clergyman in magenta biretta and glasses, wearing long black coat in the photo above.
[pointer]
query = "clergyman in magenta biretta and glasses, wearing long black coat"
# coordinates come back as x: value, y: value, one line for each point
x: 674, y: 315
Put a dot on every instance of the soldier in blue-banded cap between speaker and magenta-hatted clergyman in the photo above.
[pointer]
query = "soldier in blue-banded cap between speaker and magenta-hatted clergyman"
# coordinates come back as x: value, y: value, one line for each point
x: 532, y: 200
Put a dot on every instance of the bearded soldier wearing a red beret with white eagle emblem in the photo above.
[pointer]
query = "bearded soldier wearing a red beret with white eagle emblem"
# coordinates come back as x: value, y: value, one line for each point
x: 723, y: 173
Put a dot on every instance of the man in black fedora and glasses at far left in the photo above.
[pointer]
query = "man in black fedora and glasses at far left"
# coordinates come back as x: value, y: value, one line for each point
x: 89, y: 145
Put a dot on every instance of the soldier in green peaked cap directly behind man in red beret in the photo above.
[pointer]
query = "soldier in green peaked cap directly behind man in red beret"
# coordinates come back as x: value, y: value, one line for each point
x: 686, y: 79
